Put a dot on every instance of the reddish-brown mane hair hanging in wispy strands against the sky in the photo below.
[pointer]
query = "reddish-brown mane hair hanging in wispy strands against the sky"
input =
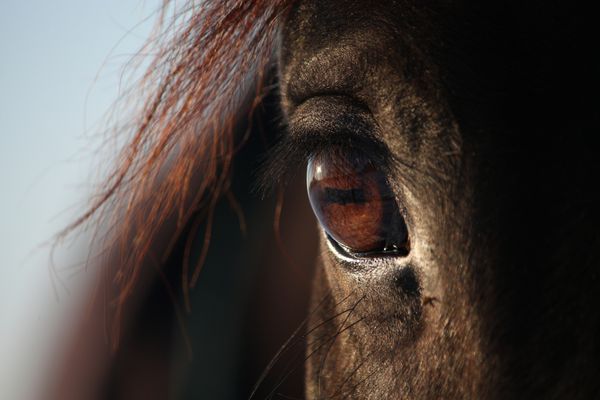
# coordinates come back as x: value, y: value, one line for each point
x: 176, y: 163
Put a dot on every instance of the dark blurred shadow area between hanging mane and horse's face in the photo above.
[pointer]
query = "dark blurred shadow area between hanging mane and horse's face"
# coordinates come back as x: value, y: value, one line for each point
x: 252, y: 294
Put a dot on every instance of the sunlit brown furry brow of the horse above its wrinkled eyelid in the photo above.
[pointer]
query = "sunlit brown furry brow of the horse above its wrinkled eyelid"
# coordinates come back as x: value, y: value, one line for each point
x: 371, y: 58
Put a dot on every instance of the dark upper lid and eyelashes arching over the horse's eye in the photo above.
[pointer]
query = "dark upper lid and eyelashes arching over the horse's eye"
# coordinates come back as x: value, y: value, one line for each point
x: 291, y: 152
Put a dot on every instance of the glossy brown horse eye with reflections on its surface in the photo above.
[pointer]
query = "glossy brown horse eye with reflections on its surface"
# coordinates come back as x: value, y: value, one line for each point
x: 355, y: 205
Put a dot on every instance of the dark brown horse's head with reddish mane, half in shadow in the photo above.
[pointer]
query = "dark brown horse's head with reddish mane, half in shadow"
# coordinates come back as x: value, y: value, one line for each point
x: 450, y: 168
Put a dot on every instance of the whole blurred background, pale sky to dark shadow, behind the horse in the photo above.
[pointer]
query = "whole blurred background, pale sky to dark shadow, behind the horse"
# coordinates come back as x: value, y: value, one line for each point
x: 60, y: 71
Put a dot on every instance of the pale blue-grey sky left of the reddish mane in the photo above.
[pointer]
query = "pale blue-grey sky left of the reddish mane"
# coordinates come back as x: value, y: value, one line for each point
x: 59, y: 73
